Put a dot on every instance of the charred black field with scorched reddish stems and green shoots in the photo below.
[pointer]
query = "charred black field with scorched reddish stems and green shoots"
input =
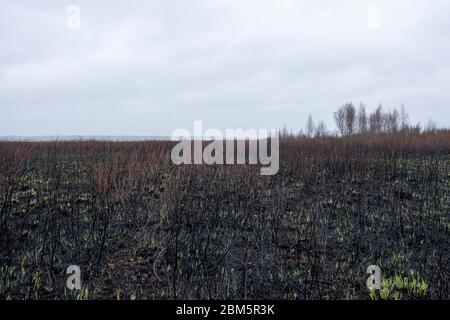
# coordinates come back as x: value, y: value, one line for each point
x: 140, y: 227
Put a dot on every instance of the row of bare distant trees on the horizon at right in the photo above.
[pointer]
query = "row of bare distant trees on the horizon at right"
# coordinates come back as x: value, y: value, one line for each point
x: 350, y: 120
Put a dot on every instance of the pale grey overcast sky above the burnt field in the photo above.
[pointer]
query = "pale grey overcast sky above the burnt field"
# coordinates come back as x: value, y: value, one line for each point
x: 149, y: 67
